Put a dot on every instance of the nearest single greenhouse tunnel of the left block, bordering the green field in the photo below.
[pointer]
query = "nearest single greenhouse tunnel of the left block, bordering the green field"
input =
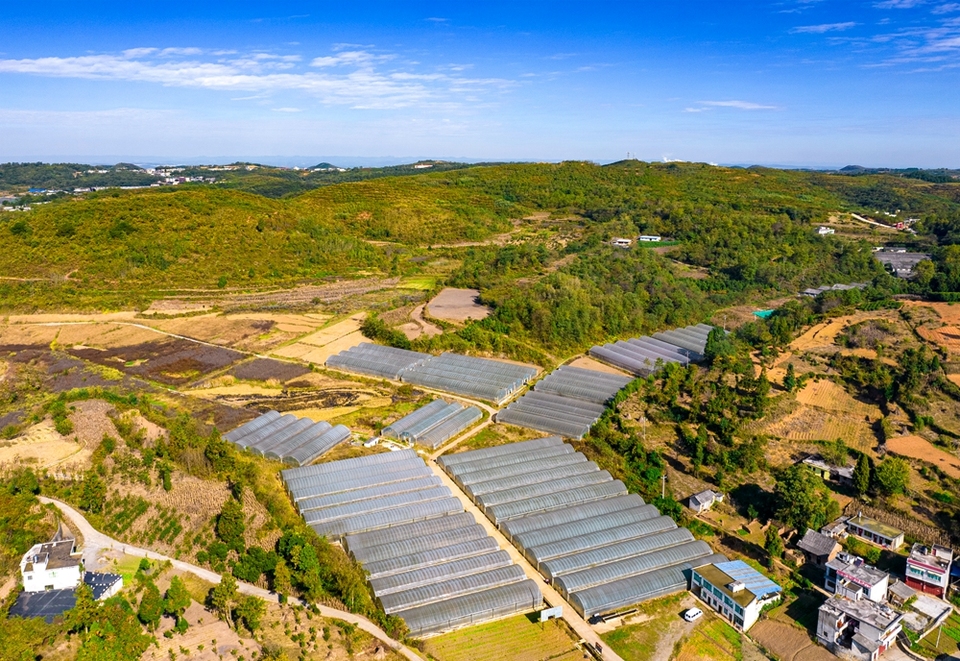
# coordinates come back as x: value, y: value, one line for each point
x: 472, y: 608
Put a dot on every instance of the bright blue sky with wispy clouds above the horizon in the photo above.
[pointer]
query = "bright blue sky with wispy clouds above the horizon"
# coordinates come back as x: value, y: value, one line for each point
x: 793, y: 82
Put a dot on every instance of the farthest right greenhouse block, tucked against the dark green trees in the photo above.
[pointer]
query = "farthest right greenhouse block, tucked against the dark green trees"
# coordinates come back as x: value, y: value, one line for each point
x: 644, y: 355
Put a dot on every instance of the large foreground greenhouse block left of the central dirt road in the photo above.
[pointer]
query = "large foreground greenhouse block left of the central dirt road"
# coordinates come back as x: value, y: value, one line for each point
x: 427, y: 560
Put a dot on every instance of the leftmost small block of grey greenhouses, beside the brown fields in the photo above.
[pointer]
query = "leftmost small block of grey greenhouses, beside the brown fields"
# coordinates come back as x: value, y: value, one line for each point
x: 287, y: 438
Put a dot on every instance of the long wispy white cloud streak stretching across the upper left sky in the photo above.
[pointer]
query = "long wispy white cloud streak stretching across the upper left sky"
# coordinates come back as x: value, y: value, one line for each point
x: 350, y: 76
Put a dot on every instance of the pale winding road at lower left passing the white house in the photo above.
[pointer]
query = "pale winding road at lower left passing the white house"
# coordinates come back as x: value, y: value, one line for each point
x: 96, y: 542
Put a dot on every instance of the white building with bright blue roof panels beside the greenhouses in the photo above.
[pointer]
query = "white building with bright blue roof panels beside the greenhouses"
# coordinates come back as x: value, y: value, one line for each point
x: 735, y: 590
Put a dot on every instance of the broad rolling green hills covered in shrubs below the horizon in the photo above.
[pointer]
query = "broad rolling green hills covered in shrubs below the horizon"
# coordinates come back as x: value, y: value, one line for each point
x: 747, y: 227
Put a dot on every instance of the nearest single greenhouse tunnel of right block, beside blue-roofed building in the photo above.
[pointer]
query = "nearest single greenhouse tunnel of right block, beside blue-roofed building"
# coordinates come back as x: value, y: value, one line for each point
x: 613, y: 596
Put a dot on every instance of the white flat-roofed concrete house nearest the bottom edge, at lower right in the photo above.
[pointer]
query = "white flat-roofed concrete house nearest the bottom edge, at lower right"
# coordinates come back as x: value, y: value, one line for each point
x: 861, y: 630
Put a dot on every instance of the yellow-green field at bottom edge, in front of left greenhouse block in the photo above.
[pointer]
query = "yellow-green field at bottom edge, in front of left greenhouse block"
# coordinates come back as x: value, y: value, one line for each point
x: 520, y: 638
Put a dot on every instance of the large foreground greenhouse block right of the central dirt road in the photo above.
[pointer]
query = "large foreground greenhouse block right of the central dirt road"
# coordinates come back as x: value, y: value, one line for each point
x: 600, y: 547
